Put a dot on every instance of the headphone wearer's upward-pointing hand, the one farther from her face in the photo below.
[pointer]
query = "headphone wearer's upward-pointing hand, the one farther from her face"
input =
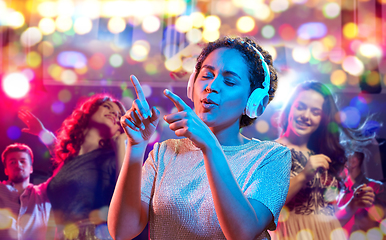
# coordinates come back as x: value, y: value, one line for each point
x: 140, y: 121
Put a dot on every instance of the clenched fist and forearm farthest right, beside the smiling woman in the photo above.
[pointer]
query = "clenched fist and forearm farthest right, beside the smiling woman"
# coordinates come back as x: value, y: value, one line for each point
x: 363, y: 197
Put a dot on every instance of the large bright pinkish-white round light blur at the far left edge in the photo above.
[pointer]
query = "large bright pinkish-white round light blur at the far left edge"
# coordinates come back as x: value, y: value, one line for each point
x: 16, y: 85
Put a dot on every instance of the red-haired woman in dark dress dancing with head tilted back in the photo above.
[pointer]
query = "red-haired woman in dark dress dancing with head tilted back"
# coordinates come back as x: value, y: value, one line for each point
x: 89, y: 152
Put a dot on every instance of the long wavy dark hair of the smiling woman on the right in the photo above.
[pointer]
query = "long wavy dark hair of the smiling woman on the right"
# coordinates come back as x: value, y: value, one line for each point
x: 326, y: 139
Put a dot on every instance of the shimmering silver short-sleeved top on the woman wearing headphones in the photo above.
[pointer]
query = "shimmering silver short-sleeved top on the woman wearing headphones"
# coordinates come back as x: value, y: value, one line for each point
x: 175, y: 185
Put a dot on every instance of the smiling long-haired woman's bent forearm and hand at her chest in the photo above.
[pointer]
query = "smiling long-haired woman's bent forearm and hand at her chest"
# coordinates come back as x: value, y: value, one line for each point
x: 298, y: 182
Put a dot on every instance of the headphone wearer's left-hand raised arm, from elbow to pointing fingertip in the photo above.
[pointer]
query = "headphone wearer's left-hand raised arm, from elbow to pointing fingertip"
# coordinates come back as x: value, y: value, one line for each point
x: 128, y: 215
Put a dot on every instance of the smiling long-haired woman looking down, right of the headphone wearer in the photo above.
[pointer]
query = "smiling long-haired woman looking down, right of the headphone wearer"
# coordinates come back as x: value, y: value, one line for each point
x: 309, y: 128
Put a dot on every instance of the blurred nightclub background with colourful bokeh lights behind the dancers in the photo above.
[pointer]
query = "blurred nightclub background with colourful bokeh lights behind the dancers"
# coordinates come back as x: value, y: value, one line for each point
x: 56, y: 53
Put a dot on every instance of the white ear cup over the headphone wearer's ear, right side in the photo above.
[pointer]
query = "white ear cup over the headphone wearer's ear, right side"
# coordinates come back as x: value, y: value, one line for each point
x: 257, y: 102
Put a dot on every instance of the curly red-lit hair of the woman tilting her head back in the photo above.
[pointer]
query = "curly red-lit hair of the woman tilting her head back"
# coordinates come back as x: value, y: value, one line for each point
x: 71, y: 133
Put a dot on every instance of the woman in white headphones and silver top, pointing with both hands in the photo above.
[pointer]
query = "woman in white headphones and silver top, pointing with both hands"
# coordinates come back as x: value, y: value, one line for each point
x: 215, y: 183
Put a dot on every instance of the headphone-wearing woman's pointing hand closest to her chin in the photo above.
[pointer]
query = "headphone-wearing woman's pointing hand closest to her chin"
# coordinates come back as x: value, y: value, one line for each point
x: 186, y: 123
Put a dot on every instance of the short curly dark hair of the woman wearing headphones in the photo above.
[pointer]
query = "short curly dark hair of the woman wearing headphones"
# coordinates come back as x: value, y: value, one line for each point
x: 252, y: 60
